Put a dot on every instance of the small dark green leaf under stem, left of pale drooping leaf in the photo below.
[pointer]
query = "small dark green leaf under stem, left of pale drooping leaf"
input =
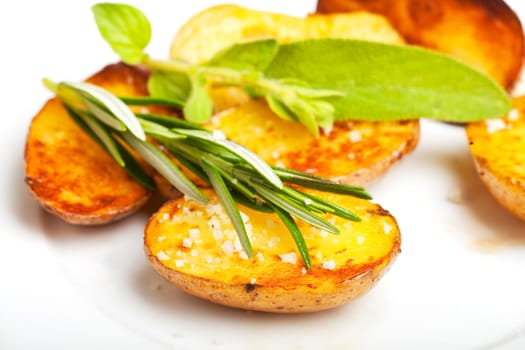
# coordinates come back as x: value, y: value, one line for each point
x: 175, y: 86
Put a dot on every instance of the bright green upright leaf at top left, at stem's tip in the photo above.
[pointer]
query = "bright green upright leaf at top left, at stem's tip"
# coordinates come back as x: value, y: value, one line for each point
x: 125, y: 28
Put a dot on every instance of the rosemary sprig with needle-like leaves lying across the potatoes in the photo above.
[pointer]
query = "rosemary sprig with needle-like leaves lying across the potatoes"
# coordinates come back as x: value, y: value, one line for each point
x: 235, y: 173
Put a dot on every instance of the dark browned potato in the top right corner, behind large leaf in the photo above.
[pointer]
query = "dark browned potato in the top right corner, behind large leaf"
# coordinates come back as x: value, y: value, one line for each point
x: 486, y: 34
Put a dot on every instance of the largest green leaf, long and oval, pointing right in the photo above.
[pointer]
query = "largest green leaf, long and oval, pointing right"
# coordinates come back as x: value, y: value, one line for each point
x: 387, y: 82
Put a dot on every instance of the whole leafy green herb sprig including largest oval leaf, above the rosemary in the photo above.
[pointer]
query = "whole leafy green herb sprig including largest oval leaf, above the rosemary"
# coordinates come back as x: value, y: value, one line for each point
x: 314, y: 82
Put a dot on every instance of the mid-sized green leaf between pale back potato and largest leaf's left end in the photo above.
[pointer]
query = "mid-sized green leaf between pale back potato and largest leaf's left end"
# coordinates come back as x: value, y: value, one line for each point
x: 252, y: 55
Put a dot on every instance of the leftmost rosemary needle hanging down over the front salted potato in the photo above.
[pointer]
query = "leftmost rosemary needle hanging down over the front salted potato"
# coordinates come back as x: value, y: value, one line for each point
x: 229, y: 205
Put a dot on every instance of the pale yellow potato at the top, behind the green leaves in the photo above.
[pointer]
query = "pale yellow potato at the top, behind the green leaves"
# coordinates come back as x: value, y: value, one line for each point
x: 220, y: 26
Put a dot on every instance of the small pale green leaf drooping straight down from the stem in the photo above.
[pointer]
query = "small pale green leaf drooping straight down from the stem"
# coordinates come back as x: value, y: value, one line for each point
x: 199, y: 106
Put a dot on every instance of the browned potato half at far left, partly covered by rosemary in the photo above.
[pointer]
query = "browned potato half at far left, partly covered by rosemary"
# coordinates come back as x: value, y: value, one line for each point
x: 68, y: 173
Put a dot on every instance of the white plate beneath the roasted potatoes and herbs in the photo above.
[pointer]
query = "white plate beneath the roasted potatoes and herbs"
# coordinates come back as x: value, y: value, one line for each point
x: 458, y: 283
